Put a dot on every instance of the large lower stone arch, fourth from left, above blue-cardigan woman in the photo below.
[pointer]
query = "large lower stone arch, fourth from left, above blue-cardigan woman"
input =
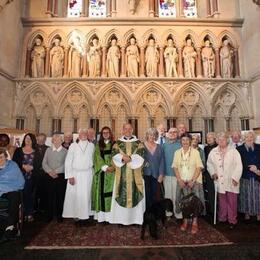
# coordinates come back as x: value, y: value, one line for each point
x: 159, y: 89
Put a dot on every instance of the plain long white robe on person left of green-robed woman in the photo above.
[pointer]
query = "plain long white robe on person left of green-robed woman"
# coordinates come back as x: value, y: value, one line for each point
x: 79, y: 164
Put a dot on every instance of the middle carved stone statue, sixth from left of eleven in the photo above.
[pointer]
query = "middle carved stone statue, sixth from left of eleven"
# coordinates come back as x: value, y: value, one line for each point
x: 132, y: 59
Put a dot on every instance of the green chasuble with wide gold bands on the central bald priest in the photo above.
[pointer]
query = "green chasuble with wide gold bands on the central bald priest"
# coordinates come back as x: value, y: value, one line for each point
x: 129, y: 190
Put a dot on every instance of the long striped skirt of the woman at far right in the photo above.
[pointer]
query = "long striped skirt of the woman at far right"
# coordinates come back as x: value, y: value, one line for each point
x: 249, y: 197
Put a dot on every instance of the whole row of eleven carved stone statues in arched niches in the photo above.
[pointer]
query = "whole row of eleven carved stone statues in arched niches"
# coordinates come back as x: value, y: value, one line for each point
x: 91, y: 55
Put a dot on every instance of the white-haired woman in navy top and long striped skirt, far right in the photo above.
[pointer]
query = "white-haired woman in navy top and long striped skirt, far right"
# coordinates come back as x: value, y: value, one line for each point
x: 249, y: 199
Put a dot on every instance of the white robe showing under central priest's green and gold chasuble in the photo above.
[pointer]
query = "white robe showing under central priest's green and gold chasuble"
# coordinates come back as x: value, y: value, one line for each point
x: 122, y: 215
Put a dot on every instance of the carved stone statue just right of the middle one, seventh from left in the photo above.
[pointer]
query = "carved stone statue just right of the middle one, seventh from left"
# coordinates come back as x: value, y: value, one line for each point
x: 151, y: 59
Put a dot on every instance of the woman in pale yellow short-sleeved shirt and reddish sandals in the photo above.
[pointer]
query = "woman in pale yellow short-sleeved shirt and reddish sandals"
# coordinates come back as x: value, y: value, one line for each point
x: 187, y: 165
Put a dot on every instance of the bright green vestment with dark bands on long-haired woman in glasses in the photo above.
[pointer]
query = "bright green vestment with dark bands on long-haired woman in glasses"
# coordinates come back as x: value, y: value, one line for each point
x: 103, y: 182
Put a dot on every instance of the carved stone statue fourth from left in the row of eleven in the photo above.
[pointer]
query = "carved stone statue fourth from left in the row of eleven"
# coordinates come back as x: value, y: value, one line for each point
x: 94, y: 59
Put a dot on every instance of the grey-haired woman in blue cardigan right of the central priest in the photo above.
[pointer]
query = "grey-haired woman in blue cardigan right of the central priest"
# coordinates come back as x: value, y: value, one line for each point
x: 153, y: 167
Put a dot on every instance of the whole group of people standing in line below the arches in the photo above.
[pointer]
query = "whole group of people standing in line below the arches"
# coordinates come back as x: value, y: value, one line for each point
x: 115, y: 181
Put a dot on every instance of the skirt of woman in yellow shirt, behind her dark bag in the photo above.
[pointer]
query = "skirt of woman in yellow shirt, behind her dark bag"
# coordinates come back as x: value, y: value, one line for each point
x: 197, y: 189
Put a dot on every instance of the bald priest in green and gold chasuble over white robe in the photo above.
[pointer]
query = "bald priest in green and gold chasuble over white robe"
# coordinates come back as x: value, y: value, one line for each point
x: 128, y: 200
